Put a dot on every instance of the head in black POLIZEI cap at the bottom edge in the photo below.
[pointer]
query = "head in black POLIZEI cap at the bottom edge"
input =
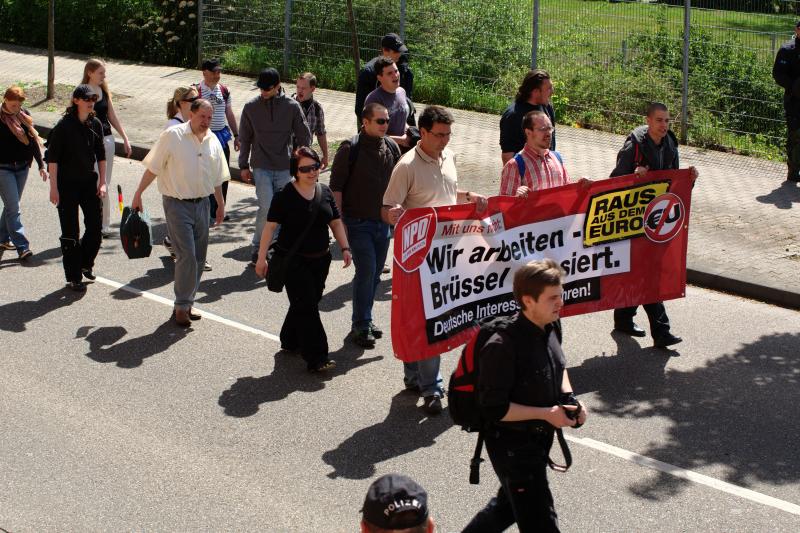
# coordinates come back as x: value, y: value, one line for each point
x: 396, y: 502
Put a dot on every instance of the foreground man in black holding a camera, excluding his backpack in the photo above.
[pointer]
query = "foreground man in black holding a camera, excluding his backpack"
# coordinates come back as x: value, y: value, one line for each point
x: 522, y: 386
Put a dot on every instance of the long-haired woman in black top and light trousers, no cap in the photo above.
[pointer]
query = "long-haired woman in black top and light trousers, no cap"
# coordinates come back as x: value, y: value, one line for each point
x: 94, y: 75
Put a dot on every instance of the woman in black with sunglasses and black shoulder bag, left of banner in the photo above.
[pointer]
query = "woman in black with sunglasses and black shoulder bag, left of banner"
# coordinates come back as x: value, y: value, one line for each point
x: 305, y: 280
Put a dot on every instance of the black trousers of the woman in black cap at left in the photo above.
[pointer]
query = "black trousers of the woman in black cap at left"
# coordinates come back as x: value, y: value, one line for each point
x: 79, y: 253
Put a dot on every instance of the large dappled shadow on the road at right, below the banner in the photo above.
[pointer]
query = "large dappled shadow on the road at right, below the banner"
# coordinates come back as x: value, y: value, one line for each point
x: 736, y: 412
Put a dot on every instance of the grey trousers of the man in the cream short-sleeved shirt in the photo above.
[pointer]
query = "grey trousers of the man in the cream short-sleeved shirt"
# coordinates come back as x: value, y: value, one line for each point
x: 187, y: 227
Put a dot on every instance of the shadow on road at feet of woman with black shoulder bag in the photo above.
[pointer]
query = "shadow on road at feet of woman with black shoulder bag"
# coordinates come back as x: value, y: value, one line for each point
x: 244, y: 398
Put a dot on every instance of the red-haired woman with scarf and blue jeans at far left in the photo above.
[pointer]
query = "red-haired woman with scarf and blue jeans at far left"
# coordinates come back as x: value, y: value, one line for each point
x: 19, y: 146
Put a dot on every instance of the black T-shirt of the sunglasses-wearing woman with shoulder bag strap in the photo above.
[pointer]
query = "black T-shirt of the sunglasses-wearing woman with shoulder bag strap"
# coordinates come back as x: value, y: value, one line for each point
x: 291, y: 211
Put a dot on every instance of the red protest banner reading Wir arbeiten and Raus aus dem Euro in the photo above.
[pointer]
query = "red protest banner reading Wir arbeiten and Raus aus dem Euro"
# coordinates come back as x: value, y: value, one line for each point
x: 622, y: 242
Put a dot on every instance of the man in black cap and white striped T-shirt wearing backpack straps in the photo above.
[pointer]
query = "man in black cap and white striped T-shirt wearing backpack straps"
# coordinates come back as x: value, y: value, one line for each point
x: 223, y: 122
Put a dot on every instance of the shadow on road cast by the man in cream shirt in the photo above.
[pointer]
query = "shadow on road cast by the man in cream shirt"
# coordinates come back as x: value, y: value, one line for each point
x: 104, y: 345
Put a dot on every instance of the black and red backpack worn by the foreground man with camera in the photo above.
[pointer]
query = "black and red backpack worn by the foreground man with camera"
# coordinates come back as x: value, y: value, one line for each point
x: 462, y: 393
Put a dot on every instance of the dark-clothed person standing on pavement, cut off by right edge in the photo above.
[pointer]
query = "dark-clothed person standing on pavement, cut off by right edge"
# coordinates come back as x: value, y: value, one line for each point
x: 786, y: 72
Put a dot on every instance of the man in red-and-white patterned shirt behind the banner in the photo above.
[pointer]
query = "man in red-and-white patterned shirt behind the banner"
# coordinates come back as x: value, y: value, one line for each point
x: 535, y: 167
